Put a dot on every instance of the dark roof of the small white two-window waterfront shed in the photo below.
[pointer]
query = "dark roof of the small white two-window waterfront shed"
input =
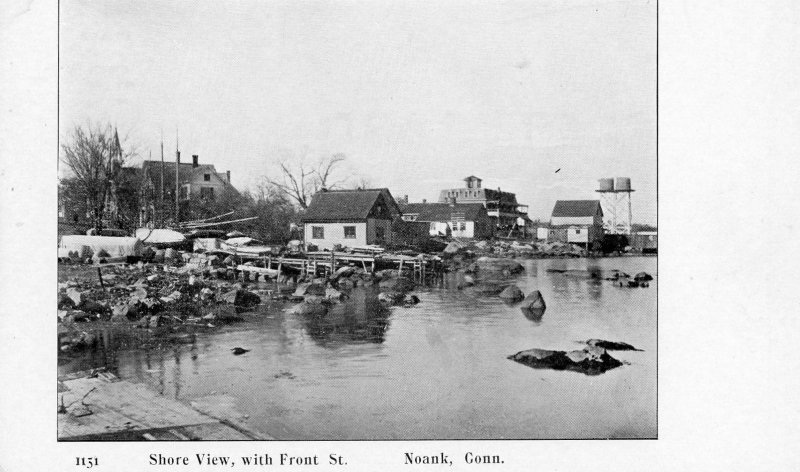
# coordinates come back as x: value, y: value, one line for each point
x: 333, y: 205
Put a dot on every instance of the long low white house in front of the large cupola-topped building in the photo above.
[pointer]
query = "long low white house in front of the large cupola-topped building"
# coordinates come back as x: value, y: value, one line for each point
x: 463, y: 220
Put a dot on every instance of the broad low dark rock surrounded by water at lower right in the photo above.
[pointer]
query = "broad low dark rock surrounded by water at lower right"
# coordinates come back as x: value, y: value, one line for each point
x: 590, y: 361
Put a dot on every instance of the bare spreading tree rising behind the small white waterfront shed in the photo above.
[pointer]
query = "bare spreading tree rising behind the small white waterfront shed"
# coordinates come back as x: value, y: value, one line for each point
x: 299, y: 181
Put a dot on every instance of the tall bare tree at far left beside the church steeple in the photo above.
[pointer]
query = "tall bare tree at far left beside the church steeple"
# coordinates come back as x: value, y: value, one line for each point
x: 95, y: 158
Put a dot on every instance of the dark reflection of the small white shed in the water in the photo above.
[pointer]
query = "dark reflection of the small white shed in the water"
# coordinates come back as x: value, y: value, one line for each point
x: 360, y: 319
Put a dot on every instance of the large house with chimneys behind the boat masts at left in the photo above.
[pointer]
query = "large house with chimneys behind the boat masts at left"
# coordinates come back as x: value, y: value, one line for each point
x: 195, y: 181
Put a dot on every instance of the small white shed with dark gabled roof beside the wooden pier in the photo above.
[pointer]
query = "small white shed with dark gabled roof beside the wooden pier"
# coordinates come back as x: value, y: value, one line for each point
x: 350, y: 218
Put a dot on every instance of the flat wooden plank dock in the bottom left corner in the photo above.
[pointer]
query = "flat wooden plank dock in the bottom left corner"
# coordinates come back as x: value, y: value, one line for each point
x: 104, y: 408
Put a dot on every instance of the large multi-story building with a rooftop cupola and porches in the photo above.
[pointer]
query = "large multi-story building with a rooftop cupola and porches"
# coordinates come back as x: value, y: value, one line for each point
x: 501, y: 206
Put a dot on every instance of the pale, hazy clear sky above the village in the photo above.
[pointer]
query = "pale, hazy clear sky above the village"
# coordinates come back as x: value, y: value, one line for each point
x: 417, y: 95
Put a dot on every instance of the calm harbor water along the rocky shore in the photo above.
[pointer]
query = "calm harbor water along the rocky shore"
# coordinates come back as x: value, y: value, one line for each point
x: 437, y: 370
